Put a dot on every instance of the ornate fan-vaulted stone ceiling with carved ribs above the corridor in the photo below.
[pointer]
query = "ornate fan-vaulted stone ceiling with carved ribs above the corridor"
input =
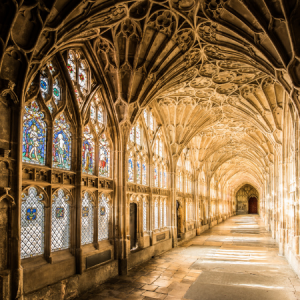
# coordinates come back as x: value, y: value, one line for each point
x: 215, y: 72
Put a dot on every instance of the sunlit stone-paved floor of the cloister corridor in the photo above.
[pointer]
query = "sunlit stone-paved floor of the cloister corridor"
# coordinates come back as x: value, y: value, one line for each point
x: 237, y: 259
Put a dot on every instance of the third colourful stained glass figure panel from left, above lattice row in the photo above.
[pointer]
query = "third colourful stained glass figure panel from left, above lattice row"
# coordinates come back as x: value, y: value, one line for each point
x: 88, y: 151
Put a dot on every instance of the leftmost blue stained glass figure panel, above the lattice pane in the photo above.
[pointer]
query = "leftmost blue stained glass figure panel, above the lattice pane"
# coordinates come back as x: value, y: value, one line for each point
x: 34, y: 135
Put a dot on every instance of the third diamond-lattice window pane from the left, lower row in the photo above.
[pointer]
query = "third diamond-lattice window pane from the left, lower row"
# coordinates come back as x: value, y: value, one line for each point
x: 87, y: 220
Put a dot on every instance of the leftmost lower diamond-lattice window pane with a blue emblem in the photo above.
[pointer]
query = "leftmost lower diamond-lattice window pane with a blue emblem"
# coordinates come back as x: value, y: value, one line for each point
x: 32, y: 223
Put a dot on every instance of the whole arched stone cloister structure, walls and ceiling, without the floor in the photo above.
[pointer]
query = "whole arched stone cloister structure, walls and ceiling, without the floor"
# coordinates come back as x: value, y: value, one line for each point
x: 129, y: 127
